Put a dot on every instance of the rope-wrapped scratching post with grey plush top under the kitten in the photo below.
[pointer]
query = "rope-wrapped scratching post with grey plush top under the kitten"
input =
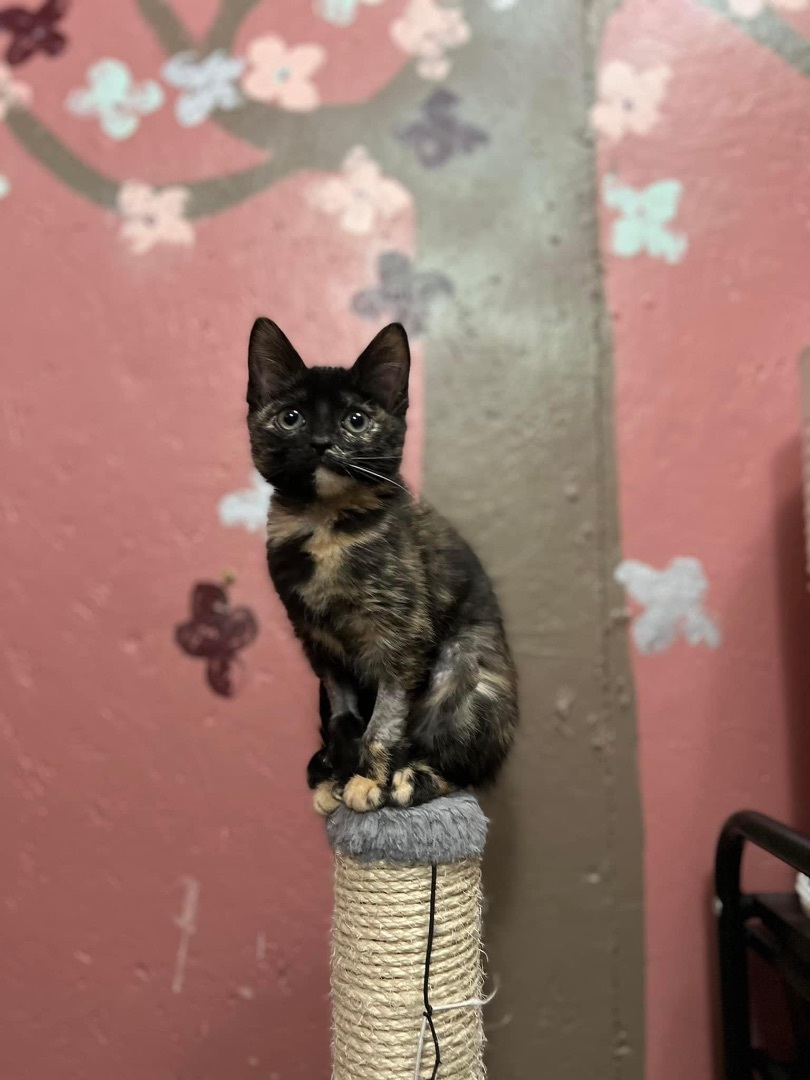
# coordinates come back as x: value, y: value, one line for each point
x: 394, y: 871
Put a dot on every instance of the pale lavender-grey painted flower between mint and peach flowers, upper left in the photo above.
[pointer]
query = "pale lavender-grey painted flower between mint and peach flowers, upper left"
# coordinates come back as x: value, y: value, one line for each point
x: 207, y: 85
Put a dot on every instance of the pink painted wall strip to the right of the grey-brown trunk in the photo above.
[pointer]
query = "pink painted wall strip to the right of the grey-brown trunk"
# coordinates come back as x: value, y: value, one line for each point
x: 708, y: 420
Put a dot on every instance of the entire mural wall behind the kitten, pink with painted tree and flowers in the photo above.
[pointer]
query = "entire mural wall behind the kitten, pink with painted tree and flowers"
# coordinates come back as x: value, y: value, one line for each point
x: 170, y: 171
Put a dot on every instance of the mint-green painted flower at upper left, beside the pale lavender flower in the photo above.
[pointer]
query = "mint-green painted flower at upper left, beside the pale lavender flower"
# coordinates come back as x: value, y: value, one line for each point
x: 115, y: 99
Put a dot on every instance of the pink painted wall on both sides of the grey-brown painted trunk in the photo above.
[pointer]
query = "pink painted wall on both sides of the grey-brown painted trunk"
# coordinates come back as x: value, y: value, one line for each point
x: 142, y: 811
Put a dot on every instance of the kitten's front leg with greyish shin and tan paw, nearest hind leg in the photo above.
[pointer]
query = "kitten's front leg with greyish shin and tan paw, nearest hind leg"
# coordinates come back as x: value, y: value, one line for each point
x: 366, y: 791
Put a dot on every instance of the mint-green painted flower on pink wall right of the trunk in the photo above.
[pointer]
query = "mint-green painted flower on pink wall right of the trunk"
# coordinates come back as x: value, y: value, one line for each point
x: 645, y: 213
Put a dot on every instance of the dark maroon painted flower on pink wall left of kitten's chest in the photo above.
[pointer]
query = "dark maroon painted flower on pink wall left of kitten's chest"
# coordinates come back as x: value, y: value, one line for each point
x: 217, y: 633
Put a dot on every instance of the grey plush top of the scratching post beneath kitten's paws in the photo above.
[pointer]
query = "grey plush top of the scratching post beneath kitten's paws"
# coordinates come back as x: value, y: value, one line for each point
x: 444, y: 831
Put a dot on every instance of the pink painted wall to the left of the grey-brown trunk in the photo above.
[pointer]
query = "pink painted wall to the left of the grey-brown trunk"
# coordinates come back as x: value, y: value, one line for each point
x: 129, y: 787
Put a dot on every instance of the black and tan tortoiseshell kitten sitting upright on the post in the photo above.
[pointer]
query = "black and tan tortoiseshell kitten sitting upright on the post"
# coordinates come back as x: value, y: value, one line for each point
x: 395, y: 612
